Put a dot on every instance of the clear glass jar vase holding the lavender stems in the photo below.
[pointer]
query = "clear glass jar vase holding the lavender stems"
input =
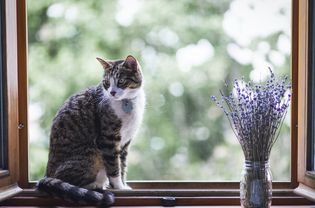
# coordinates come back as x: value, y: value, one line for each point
x: 256, y: 185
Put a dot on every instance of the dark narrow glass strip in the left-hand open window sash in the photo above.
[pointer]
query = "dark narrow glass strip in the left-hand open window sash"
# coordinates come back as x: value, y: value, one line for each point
x: 3, y: 143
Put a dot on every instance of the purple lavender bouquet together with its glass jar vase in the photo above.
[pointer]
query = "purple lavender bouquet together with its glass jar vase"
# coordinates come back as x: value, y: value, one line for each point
x: 256, y: 113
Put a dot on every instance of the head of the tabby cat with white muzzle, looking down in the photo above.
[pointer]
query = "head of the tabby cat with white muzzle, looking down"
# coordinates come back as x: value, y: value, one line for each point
x: 122, y: 78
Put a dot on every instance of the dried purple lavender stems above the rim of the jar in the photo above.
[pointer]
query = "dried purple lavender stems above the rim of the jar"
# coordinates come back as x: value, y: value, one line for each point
x: 256, y: 113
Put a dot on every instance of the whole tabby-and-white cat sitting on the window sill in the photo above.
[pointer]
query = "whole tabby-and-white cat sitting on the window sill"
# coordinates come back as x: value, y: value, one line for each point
x: 91, y: 134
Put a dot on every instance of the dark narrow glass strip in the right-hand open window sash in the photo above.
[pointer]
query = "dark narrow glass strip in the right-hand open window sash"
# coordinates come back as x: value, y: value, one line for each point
x: 311, y: 100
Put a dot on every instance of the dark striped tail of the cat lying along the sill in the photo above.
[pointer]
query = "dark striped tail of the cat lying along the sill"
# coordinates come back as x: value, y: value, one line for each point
x: 68, y: 192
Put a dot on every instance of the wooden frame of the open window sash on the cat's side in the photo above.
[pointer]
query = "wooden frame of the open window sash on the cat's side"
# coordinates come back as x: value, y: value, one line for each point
x: 9, y: 177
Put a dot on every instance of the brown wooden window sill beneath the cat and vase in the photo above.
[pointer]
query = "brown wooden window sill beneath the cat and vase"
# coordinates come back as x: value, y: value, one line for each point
x: 160, y: 197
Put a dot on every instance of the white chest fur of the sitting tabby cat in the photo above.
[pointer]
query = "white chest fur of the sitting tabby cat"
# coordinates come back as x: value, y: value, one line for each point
x: 130, y: 120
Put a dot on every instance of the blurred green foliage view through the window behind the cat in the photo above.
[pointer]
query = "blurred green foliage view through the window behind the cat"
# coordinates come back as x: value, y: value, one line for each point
x: 187, y: 50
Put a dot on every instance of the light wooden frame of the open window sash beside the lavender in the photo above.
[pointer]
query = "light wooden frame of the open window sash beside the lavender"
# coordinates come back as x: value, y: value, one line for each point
x: 306, y: 179
